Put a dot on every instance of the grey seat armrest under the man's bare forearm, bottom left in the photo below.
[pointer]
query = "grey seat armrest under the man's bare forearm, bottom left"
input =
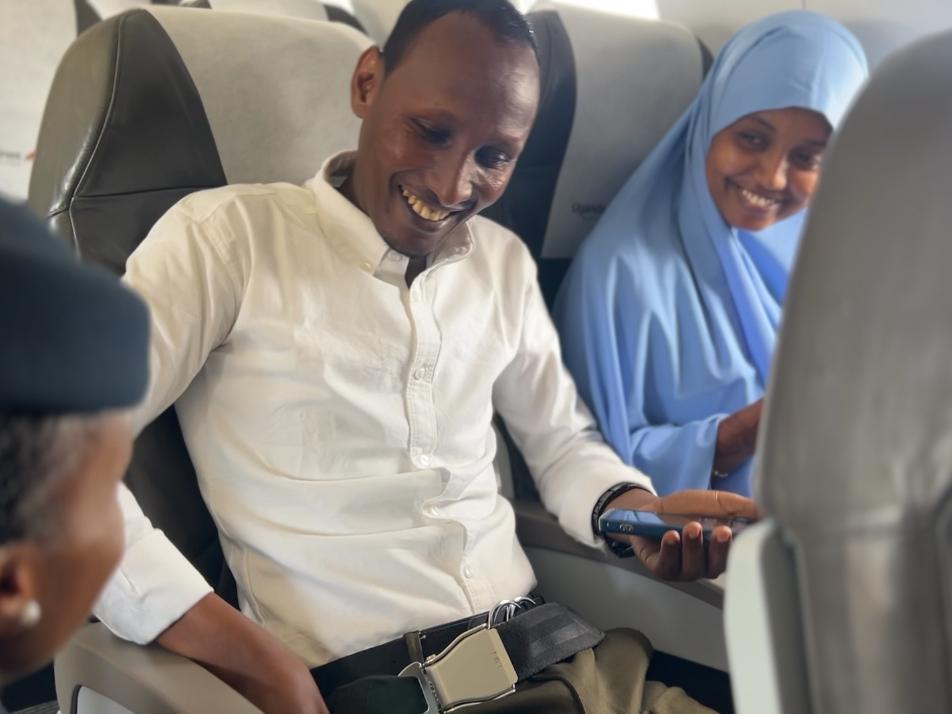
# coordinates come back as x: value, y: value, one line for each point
x: 144, y: 679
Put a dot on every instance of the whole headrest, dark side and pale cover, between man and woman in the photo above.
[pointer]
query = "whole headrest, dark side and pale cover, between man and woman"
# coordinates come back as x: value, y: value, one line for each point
x: 611, y: 87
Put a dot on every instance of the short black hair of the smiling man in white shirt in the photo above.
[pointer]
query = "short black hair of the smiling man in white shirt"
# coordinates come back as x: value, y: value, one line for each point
x: 508, y: 25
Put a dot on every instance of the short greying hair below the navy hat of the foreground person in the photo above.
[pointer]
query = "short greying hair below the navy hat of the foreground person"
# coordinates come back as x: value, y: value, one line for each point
x: 37, y: 452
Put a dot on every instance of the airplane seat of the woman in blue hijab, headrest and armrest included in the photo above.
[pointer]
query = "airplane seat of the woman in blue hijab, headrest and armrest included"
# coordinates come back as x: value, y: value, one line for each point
x: 611, y: 87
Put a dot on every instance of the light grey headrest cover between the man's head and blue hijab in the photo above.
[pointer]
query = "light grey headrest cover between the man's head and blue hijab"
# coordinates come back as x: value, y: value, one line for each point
x: 634, y: 78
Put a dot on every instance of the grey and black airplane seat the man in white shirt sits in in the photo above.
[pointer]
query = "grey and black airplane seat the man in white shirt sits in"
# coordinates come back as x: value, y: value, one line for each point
x: 146, y: 107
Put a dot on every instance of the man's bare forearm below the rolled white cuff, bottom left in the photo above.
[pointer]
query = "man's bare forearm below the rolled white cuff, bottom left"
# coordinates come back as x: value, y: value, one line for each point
x: 245, y: 656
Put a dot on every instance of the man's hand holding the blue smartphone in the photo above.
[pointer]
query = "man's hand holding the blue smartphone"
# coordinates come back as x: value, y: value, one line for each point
x: 684, y: 555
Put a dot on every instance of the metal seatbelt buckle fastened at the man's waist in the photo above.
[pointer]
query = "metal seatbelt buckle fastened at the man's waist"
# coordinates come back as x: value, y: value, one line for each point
x: 473, y: 669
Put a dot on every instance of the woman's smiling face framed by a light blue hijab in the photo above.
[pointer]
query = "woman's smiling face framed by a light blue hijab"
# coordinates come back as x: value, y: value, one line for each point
x: 764, y: 167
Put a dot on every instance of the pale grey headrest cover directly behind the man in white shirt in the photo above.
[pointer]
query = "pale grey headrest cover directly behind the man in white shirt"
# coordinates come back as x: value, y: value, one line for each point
x: 275, y: 90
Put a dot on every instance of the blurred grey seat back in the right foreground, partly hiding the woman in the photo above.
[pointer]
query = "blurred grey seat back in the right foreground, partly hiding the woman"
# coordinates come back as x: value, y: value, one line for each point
x: 840, y: 600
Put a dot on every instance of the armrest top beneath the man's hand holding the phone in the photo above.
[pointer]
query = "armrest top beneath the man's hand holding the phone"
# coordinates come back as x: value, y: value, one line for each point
x: 537, y: 528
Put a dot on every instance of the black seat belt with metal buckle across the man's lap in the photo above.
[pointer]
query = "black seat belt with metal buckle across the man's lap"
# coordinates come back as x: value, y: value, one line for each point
x: 480, y: 665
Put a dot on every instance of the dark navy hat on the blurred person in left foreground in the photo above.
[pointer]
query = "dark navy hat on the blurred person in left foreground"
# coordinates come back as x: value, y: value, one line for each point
x: 72, y: 339
